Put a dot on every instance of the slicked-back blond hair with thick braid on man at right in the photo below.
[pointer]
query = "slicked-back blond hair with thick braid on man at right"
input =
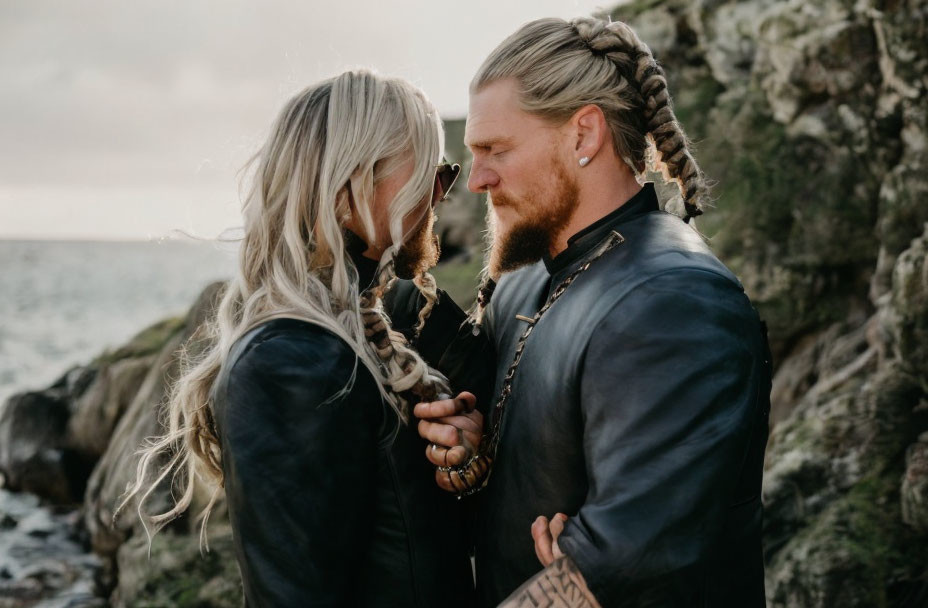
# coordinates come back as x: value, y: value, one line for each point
x: 562, y: 66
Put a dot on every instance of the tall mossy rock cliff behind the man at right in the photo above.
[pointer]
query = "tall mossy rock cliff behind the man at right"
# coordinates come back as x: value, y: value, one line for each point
x: 811, y: 118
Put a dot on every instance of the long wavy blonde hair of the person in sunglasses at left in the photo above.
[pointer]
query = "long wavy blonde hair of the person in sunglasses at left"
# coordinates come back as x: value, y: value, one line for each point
x: 342, y: 135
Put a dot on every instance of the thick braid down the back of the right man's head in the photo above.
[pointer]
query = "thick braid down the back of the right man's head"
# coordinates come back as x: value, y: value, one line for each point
x: 618, y: 43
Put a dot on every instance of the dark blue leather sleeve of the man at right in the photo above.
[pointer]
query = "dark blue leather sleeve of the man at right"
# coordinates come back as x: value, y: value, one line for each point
x: 671, y: 391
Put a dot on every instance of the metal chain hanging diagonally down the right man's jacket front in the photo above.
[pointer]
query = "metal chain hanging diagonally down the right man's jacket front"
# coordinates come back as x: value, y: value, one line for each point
x: 474, y: 475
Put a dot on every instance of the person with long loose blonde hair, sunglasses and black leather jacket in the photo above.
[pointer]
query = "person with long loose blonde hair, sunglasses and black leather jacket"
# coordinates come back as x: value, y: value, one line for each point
x: 298, y: 408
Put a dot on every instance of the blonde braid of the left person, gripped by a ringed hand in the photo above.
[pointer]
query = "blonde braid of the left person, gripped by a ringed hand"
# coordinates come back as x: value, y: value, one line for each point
x: 405, y: 370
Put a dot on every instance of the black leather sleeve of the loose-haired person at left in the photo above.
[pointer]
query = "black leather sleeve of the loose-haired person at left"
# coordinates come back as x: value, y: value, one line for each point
x: 299, y: 440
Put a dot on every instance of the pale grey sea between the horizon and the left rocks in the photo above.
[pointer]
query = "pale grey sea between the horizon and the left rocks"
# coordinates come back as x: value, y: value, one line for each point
x: 63, y: 302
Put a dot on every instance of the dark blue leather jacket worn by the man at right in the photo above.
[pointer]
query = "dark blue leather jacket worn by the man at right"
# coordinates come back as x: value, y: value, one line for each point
x: 640, y: 410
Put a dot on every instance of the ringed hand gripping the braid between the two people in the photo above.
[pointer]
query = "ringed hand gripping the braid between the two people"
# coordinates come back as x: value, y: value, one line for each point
x: 454, y: 429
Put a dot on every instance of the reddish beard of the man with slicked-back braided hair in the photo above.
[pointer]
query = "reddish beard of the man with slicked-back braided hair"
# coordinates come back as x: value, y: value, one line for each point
x: 543, y: 215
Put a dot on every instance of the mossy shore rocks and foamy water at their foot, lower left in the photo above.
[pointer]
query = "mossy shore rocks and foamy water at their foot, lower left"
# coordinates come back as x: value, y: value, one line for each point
x: 80, y: 464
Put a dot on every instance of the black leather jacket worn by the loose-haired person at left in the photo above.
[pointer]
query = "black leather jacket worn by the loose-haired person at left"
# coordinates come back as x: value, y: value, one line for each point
x: 331, y: 499
